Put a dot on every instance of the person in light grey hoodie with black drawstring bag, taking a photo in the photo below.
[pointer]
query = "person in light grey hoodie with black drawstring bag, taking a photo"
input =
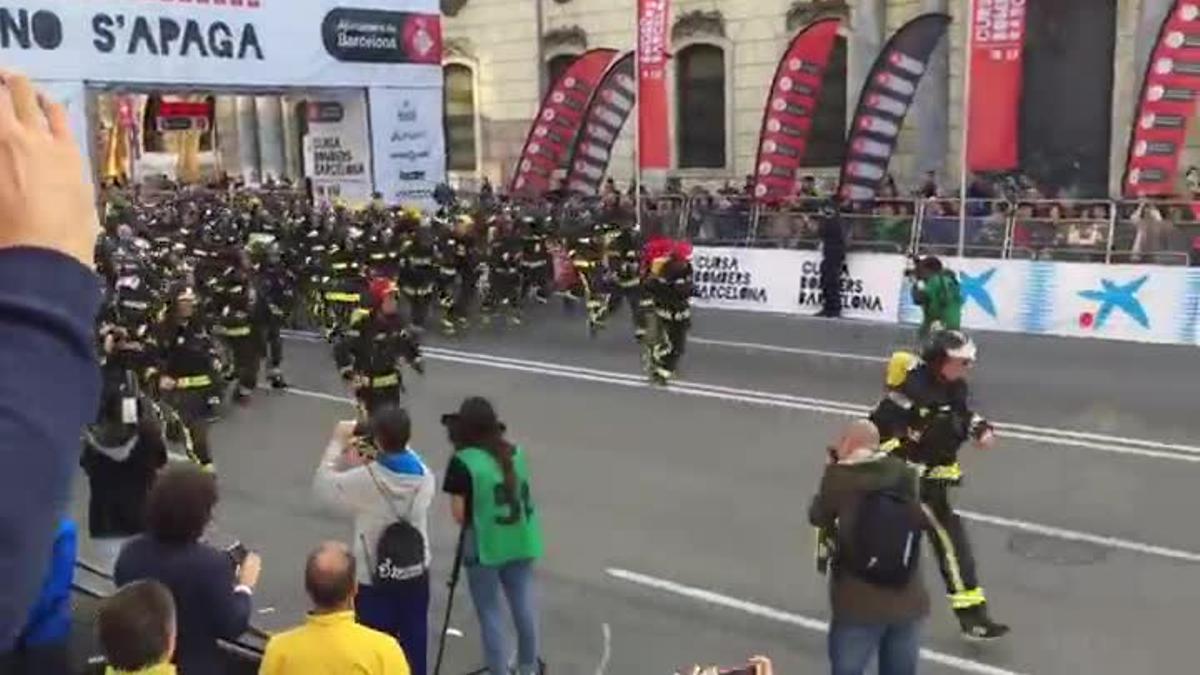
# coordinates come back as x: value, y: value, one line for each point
x: 389, y: 498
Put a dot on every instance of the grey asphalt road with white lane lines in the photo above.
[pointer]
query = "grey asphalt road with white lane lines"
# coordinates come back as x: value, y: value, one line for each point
x: 676, y: 519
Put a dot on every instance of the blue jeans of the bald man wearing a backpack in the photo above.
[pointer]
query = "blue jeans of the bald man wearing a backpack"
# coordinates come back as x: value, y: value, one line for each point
x: 853, y: 646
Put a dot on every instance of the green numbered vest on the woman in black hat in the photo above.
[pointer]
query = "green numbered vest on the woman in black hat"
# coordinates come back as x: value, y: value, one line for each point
x: 506, y: 522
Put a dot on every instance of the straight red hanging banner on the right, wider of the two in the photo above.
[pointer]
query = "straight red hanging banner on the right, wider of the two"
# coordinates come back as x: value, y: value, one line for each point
x: 998, y: 39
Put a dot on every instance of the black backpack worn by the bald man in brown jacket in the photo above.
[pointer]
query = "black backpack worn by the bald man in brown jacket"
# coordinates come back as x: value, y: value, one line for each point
x: 884, y: 547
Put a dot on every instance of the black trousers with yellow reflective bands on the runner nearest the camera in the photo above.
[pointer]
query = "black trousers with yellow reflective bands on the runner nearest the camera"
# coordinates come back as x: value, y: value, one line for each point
x: 956, y: 560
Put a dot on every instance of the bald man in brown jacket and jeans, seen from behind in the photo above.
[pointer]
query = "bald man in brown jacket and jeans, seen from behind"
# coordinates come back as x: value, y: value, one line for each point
x: 868, y: 618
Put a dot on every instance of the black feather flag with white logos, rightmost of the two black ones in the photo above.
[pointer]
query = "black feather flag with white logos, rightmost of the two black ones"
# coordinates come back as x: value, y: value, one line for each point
x: 887, y: 94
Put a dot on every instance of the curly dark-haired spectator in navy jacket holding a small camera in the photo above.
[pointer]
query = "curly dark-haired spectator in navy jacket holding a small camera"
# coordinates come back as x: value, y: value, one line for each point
x: 212, y: 587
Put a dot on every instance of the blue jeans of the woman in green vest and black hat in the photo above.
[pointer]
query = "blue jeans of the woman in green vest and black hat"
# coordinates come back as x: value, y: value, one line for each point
x: 515, y: 580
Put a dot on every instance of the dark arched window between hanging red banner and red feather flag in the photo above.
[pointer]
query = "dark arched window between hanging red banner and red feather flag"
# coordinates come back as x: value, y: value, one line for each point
x: 700, y: 107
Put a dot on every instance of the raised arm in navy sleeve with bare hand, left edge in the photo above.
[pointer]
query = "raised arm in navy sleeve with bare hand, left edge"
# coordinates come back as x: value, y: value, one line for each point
x: 49, y: 303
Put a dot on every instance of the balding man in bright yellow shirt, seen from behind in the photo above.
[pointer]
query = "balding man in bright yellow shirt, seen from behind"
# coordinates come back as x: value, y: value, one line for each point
x: 331, y: 642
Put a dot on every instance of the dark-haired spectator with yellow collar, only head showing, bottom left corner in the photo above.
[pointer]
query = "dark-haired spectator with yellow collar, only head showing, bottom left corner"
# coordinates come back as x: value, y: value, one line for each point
x: 136, y: 629
